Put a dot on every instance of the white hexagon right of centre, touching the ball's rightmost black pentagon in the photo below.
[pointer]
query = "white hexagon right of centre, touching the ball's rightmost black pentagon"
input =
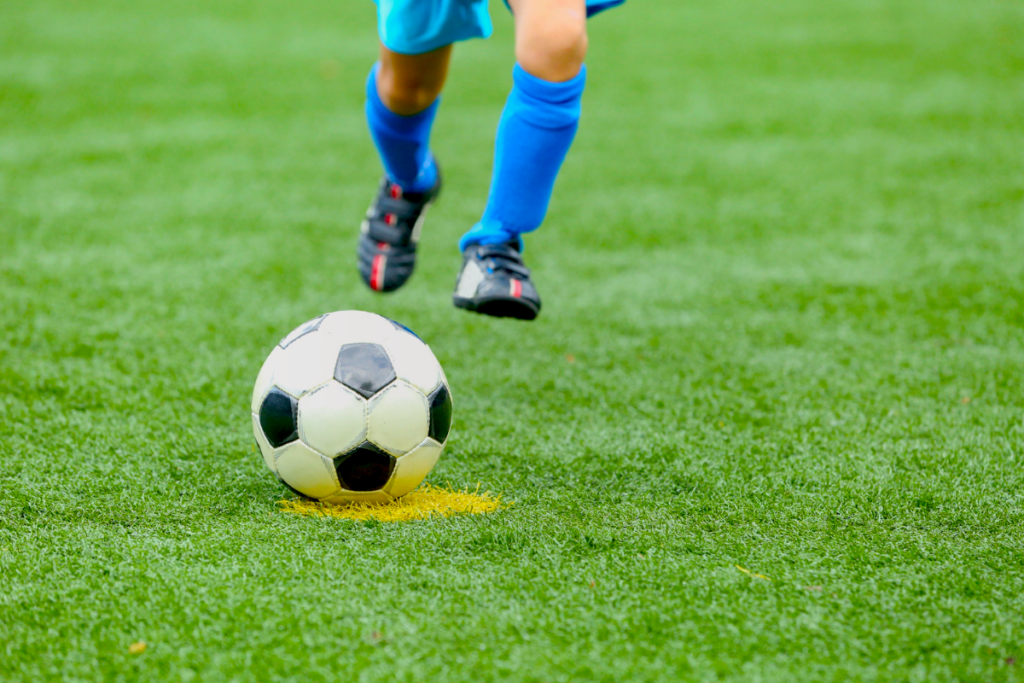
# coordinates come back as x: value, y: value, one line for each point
x: 399, y: 418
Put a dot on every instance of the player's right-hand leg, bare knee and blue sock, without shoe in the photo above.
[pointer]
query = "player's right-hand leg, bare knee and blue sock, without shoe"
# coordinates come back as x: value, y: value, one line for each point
x: 540, y: 119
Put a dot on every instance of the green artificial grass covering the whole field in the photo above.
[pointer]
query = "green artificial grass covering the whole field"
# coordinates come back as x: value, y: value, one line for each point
x: 786, y: 255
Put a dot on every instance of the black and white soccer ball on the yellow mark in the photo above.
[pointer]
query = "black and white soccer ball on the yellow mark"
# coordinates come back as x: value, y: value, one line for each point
x: 352, y: 407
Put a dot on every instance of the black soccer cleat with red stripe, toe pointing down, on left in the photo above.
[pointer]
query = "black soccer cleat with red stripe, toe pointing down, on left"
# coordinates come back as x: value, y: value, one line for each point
x: 391, y: 233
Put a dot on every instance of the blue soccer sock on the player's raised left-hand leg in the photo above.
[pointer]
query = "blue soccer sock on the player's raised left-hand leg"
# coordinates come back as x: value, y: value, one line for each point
x: 403, y: 142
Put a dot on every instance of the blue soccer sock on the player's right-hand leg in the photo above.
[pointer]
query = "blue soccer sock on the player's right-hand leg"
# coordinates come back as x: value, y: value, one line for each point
x: 535, y: 135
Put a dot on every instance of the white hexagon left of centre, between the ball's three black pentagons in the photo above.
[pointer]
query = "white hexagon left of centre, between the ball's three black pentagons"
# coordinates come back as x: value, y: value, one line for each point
x: 332, y: 419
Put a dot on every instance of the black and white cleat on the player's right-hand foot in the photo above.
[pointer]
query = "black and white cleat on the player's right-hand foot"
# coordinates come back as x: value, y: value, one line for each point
x: 495, y: 282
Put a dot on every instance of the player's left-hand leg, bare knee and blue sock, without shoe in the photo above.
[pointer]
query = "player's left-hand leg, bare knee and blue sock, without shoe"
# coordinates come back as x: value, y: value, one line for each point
x: 402, y: 100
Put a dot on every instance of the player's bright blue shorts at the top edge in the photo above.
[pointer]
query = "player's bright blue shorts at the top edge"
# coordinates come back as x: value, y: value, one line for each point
x: 415, y: 27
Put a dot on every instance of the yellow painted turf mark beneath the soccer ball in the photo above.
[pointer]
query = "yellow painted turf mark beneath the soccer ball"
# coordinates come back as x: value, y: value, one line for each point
x: 428, y: 501
